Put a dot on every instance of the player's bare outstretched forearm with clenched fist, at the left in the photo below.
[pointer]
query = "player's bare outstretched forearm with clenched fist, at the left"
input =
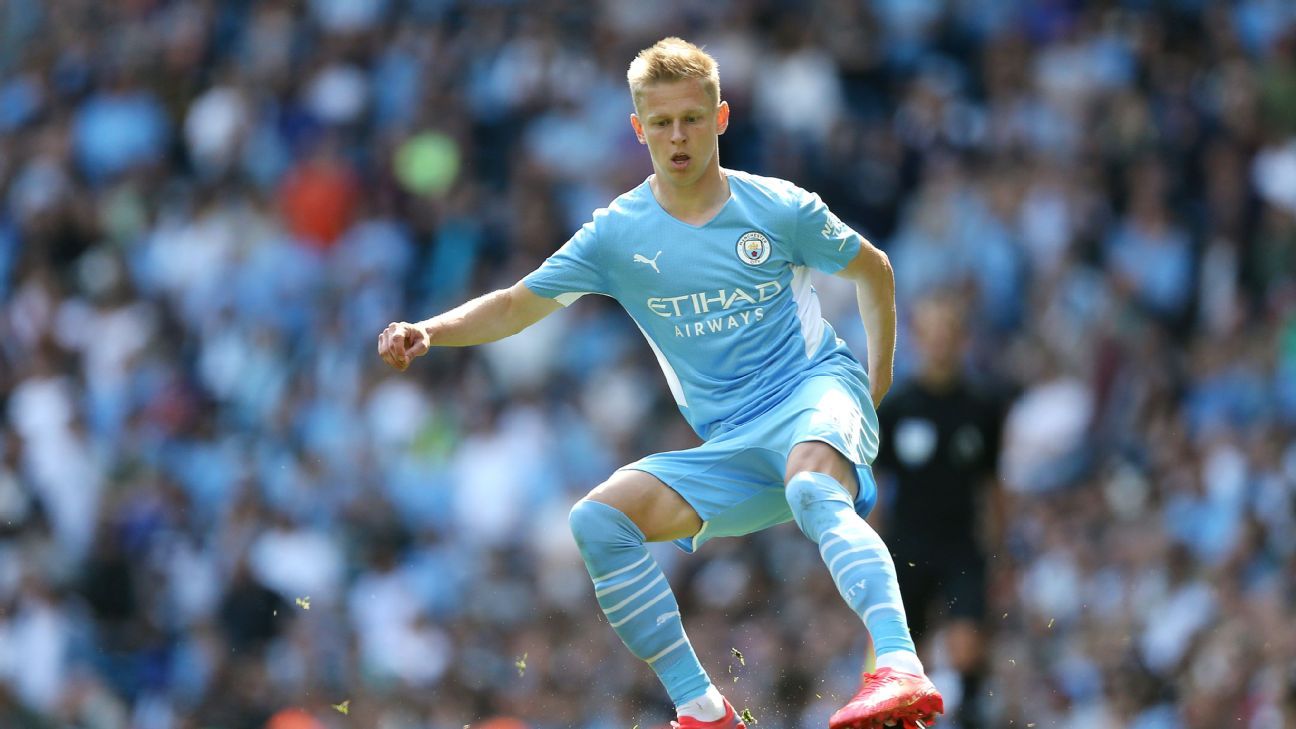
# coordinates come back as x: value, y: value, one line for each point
x: 487, y: 318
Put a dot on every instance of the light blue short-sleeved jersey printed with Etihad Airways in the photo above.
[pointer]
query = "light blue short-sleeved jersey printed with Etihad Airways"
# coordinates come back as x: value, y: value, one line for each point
x: 726, y: 307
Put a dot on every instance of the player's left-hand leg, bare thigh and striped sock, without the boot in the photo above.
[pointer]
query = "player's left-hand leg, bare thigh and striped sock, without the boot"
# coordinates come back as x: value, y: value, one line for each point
x: 611, y: 526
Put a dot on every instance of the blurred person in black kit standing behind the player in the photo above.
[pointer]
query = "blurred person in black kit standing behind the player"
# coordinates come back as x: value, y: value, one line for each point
x: 940, y: 447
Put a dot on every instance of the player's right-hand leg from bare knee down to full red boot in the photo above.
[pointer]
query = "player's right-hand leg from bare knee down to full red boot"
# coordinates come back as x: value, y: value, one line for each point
x: 821, y: 487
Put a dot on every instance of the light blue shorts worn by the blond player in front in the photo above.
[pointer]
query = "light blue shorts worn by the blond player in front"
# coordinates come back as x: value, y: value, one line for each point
x: 735, y: 481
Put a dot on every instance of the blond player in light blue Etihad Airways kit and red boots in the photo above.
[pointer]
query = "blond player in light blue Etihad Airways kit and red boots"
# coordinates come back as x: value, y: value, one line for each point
x: 713, y: 265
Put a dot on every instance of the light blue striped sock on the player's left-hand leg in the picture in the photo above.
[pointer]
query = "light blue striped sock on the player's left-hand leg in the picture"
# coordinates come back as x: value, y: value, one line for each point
x: 634, y: 595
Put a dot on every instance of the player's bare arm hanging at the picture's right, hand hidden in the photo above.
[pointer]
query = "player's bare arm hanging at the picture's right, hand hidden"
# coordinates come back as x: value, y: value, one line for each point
x: 875, y: 293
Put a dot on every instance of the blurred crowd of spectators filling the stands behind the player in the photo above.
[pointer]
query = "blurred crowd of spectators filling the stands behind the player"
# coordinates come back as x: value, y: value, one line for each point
x: 220, y: 510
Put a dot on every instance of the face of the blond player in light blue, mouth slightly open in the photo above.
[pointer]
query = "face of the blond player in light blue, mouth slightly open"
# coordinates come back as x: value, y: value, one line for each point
x: 681, y: 125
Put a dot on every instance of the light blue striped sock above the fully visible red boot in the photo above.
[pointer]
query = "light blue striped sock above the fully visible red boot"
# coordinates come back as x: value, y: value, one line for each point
x: 859, y: 561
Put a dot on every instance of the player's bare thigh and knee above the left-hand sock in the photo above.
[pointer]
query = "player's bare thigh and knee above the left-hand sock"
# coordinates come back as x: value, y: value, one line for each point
x: 660, y: 513
